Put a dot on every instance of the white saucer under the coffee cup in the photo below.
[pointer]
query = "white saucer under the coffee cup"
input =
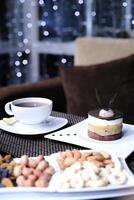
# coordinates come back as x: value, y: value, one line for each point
x: 52, y: 124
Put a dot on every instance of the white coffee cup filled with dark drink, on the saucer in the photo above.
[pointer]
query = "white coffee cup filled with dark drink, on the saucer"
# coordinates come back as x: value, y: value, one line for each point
x: 30, y: 110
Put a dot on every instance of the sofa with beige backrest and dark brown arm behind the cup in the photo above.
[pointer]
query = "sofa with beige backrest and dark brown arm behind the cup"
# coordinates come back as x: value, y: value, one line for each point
x: 88, y: 51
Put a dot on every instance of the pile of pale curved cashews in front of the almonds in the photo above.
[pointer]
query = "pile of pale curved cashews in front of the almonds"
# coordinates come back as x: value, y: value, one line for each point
x: 86, y: 174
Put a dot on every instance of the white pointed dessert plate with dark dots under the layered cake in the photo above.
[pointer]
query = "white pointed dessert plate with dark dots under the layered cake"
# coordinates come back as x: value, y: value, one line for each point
x: 77, y: 134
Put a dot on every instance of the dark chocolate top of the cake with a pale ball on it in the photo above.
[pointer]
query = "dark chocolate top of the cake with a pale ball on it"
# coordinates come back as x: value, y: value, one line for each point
x: 107, y: 114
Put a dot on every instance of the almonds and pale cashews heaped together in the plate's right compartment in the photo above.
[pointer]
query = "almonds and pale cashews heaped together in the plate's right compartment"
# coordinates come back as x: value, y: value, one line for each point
x: 88, y: 169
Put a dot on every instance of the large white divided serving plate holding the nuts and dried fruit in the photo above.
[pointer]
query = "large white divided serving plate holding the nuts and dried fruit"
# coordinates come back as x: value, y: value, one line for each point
x: 52, y: 192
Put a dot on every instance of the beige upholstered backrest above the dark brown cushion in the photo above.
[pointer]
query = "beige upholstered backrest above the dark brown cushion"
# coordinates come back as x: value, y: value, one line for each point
x: 95, y: 50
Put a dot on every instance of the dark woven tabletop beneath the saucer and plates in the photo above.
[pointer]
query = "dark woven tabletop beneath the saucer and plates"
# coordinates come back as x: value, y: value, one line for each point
x: 34, y: 145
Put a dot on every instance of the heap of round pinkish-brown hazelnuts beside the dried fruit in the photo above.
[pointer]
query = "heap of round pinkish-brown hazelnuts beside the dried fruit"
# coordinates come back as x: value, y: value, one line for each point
x: 33, y: 172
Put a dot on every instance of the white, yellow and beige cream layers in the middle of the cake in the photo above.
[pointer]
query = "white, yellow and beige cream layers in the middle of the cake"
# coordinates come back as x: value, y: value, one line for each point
x: 104, y: 127
